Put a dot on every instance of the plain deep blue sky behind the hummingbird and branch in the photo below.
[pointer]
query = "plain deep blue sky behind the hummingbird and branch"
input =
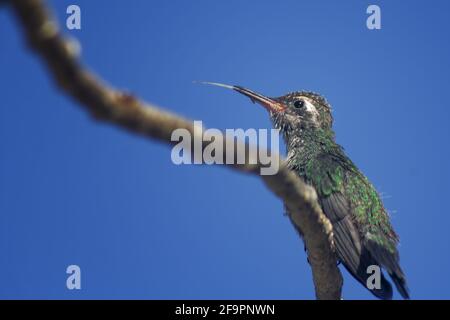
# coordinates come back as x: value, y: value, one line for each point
x: 74, y: 191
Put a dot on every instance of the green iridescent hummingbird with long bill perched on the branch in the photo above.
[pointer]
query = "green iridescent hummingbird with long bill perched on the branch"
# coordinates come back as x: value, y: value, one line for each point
x: 363, y: 234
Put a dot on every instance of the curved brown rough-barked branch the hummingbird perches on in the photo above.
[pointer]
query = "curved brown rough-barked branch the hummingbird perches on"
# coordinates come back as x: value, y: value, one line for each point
x: 128, y: 112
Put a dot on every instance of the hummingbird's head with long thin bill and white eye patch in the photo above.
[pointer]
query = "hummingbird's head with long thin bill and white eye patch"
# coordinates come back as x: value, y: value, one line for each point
x: 295, y: 113
